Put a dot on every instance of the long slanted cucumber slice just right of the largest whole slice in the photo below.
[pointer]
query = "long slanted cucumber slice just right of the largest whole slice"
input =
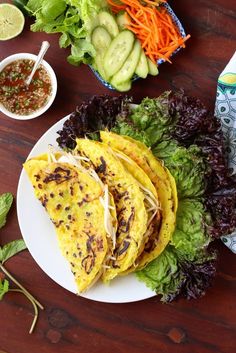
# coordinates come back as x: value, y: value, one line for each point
x: 128, y: 68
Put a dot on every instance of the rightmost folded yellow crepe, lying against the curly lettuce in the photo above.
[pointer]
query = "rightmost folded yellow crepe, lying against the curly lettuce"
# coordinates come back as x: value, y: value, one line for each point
x: 165, y: 187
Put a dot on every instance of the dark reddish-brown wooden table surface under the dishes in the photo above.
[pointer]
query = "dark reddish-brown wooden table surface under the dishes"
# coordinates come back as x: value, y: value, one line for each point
x: 73, y: 324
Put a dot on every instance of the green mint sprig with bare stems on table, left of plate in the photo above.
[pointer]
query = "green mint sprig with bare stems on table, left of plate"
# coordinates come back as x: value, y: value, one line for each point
x: 6, y: 252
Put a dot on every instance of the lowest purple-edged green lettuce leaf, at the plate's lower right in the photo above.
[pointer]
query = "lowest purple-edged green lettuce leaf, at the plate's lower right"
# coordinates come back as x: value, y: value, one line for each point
x: 170, y: 276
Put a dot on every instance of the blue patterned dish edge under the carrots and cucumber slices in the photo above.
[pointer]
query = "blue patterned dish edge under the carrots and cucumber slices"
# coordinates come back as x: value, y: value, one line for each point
x: 160, y: 61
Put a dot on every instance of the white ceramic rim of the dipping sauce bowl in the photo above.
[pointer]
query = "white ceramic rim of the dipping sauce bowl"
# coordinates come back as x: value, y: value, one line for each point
x: 53, y: 78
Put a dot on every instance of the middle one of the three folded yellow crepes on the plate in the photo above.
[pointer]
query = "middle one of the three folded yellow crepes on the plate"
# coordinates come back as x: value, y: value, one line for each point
x: 129, y: 200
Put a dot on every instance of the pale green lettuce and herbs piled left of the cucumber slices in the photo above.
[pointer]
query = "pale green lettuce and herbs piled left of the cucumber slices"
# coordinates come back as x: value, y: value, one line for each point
x: 73, y: 19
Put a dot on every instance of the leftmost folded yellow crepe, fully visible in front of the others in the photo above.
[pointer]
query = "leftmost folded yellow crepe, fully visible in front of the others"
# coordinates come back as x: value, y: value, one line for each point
x: 72, y: 199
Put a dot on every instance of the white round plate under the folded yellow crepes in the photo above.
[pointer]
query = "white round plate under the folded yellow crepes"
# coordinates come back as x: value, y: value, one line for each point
x: 40, y: 238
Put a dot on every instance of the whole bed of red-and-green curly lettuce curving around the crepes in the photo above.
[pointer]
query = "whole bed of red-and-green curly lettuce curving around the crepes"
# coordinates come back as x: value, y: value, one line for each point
x: 181, y: 132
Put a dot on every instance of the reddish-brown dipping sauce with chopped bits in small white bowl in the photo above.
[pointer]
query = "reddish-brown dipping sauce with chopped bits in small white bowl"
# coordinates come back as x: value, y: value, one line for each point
x: 15, y: 96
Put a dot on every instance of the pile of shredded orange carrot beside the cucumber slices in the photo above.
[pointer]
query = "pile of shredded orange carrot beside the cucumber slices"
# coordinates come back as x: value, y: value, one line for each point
x: 153, y: 26
